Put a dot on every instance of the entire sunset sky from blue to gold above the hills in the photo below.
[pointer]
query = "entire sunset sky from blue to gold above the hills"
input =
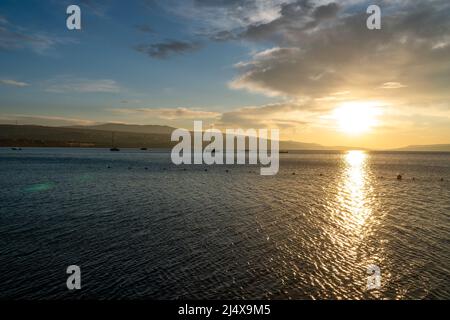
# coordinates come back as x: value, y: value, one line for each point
x: 310, y: 68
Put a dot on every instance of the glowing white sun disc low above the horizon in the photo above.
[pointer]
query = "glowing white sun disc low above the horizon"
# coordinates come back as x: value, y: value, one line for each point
x: 357, y: 117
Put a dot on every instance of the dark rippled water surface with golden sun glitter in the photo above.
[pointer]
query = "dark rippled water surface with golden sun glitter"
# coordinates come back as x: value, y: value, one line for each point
x: 170, y: 233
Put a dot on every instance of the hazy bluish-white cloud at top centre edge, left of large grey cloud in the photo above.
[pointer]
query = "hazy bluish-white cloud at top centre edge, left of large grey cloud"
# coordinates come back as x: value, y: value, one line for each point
x: 248, y: 19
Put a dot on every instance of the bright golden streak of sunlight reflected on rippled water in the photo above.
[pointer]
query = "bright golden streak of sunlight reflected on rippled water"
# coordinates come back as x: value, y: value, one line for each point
x: 353, y: 221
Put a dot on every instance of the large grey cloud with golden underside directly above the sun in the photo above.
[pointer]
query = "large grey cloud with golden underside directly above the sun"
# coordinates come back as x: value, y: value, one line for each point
x: 325, y: 49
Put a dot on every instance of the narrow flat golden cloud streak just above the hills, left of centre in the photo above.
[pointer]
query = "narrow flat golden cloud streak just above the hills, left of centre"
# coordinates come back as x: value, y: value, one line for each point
x: 169, y: 113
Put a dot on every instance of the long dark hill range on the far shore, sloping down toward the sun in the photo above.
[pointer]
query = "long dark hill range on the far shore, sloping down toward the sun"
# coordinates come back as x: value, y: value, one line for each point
x: 100, y: 136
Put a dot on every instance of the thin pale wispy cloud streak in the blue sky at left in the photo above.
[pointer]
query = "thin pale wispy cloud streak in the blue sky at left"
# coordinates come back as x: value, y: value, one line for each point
x: 81, y: 85
